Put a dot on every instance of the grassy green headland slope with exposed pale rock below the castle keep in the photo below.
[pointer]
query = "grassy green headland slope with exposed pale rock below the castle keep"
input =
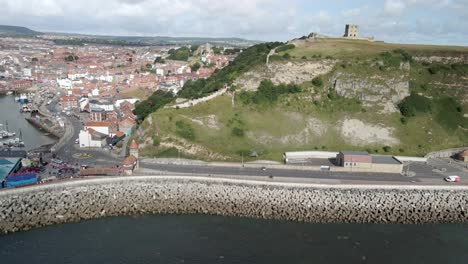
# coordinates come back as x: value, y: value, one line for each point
x: 322, y: 94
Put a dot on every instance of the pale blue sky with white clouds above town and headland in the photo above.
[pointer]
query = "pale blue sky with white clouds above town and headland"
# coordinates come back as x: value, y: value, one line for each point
x: 403, y: 21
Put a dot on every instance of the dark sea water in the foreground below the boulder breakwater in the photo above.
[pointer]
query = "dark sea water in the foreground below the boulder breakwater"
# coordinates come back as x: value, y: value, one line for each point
x: 210, y: 239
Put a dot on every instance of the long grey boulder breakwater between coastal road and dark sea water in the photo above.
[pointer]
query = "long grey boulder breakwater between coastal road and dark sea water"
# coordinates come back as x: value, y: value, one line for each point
x: 37, y: 206
